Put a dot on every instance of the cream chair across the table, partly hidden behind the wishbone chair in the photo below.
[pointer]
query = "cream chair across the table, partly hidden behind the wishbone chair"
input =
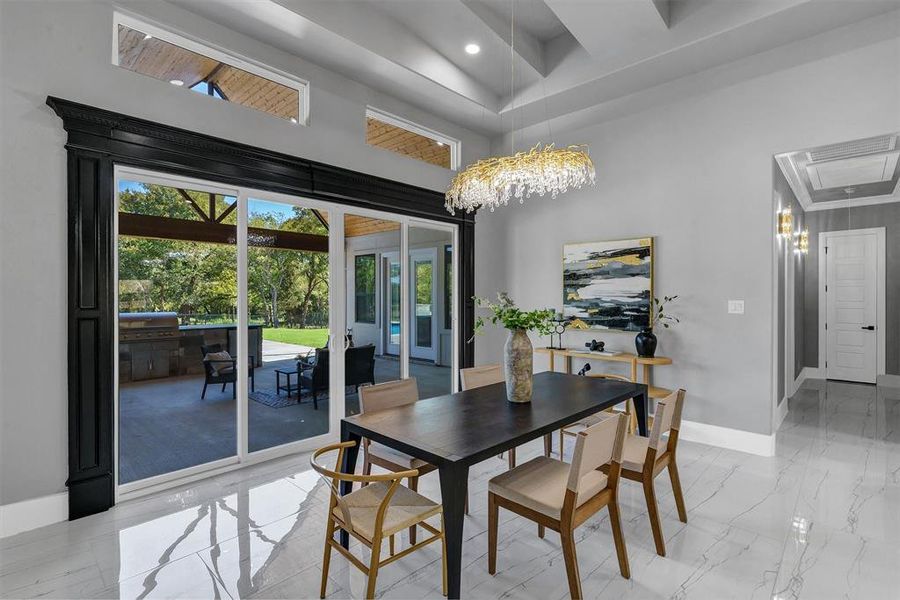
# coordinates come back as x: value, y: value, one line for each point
x: 382, y: 396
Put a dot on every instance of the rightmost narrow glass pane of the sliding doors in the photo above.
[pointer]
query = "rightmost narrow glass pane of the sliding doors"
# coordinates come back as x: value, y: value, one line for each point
x: 431, y: 343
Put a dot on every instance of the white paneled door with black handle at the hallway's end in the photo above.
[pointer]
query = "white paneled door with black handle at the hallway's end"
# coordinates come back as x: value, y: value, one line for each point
x: 851, y: 300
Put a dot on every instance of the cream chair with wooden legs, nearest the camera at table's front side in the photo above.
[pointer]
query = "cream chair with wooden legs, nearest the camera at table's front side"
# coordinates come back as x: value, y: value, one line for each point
x: 562, y: 496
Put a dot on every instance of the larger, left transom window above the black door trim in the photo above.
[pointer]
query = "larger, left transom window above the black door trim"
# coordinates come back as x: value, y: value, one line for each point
x: 149, y: 50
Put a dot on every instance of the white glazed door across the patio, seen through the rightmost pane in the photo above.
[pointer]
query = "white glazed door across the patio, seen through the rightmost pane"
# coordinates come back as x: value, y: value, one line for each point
x: 423, y: 296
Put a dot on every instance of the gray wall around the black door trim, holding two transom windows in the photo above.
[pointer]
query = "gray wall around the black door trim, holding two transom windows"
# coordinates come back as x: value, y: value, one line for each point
x: 63, y: 49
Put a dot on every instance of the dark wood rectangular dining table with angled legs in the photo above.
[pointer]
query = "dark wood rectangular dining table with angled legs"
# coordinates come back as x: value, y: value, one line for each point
x: 458, y: 430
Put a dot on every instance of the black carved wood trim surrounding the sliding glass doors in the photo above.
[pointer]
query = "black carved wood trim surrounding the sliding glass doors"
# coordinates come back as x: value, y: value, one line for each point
x: 99, y: 139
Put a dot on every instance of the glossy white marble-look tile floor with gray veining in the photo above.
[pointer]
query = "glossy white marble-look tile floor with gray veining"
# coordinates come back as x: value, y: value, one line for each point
x: 819, y: 520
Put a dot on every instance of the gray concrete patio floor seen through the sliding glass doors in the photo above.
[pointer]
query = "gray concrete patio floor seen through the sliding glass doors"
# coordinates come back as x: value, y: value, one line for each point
x: 164, y: 425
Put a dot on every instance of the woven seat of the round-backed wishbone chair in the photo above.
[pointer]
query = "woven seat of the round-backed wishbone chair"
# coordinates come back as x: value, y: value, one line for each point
x: 405, y: 509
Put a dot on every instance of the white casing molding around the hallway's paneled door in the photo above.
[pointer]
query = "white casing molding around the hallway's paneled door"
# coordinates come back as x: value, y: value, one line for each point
x: 880, y: 294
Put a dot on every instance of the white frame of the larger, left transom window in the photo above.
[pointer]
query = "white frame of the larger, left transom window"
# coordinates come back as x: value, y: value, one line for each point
x: 210, y: 51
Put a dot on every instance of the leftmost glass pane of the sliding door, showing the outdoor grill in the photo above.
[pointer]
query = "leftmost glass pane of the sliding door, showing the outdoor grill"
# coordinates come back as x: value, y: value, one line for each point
x: 177, y: 301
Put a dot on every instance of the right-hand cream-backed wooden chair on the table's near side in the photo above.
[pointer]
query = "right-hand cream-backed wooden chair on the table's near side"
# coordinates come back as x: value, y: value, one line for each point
x: 644, y: 459
